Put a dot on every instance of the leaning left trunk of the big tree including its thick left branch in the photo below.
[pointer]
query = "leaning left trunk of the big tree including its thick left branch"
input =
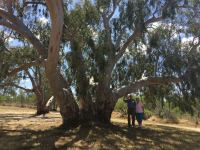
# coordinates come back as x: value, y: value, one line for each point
x: 61, y: 90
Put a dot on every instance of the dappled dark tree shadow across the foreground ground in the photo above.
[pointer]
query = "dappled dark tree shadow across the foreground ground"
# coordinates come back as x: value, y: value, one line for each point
x: 116, y: 136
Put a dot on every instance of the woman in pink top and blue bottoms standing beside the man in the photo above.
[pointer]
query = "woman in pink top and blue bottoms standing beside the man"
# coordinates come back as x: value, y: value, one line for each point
x: 139, y: 112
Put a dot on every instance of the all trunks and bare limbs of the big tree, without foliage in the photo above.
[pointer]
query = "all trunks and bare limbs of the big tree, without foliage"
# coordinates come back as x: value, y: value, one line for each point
x: 99, y: 105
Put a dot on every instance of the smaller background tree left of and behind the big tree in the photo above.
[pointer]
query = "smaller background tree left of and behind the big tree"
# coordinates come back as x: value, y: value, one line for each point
x: 15, y: 68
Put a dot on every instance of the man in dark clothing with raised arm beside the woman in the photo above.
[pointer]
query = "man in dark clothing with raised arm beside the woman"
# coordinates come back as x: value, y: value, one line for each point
x: 131, y: 104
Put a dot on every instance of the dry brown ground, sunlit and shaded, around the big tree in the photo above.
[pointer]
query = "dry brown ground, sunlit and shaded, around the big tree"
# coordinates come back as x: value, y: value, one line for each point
x: 20, y: 131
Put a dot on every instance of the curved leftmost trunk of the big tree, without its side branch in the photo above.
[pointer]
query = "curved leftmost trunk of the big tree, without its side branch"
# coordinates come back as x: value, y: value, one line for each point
x: 61, y: 90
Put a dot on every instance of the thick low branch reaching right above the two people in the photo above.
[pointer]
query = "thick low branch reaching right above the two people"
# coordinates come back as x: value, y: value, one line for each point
x: 142, y: 83
